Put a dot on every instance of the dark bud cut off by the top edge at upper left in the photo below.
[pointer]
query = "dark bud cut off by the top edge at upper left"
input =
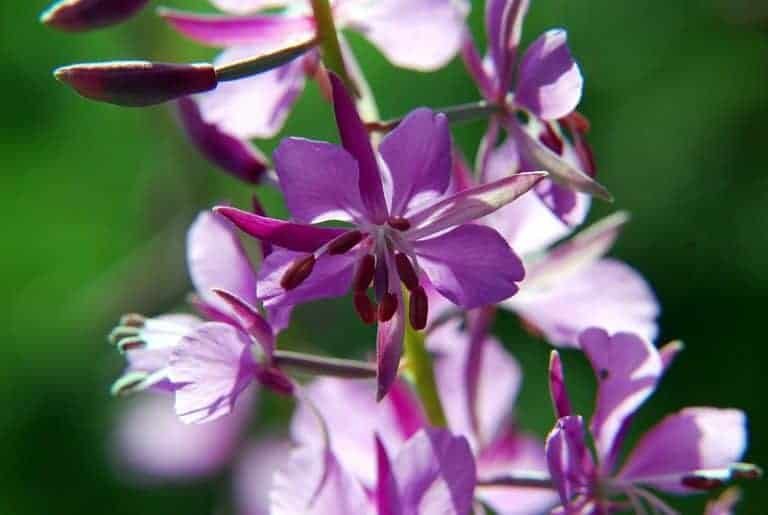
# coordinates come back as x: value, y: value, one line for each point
x: 82, y: 15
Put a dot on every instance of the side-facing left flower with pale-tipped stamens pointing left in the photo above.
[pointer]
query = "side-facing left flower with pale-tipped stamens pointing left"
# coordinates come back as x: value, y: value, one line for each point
x: 207, y: 365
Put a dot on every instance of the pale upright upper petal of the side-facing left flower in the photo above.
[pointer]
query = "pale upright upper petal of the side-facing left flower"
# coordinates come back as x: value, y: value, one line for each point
x: 216, y: 259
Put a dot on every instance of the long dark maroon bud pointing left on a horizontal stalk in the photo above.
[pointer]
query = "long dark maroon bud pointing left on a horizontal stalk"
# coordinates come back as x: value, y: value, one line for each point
x: 137, y: 83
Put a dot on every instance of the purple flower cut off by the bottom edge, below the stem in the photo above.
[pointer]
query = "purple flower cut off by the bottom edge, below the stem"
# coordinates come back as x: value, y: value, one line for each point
x: 432, y: 472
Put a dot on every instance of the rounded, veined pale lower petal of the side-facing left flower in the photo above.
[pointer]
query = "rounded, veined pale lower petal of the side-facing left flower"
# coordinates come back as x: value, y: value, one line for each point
x: 211, y: 366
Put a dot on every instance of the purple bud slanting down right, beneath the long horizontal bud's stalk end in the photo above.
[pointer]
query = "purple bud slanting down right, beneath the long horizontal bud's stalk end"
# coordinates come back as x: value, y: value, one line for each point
x: 233, y: 155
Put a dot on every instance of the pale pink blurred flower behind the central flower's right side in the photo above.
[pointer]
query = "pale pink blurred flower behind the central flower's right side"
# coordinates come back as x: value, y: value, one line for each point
x: 571, y: 286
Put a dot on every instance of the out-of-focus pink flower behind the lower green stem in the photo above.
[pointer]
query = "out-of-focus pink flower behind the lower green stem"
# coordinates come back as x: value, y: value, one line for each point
x: 477, y: 384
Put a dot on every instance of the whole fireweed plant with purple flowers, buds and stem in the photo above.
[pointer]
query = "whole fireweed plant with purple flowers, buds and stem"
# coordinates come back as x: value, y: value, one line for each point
x: 429, y: 247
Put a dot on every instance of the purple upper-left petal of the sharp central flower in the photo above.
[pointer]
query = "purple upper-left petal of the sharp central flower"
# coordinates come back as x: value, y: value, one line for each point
x: 326, y: 190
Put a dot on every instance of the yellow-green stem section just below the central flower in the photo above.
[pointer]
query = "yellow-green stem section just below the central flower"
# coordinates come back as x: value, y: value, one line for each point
x: 423, y: 375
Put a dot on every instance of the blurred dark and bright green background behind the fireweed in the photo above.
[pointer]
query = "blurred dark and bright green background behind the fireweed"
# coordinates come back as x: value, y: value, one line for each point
x: 96, y: 200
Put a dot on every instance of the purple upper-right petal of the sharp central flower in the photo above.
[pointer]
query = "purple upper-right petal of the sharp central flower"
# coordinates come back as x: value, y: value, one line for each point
x: 418, y: 155
